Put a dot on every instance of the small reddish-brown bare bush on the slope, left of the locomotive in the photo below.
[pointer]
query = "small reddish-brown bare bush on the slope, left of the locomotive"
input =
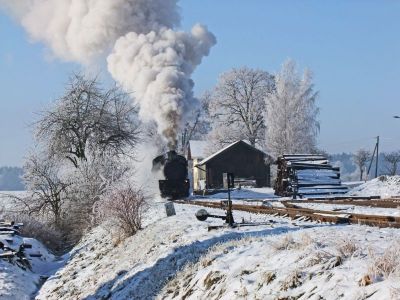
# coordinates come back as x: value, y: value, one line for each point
x: 125, y: 207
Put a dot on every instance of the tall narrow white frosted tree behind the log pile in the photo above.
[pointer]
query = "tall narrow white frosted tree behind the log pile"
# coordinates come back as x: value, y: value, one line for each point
x: 291, y: 113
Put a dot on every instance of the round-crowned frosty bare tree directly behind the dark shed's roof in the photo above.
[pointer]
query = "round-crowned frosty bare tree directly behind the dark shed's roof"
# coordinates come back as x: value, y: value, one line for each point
x: 236, y: 106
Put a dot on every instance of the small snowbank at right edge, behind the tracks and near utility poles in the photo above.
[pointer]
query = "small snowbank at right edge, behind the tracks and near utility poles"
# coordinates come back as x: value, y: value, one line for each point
x: 384, y: 186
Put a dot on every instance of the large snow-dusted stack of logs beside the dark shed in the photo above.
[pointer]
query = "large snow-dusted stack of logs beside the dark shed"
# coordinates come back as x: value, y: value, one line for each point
x: 306, y: 175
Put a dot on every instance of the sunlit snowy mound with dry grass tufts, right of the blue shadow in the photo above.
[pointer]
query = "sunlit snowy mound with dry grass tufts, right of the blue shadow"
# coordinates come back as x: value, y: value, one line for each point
x: 313, y: 263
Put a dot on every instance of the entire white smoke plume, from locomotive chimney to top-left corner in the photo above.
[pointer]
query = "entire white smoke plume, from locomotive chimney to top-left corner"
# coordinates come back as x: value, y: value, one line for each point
x: 146, y: 55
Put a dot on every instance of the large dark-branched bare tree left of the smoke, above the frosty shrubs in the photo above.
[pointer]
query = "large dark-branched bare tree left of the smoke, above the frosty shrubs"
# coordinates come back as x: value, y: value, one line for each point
x: 88, y: 119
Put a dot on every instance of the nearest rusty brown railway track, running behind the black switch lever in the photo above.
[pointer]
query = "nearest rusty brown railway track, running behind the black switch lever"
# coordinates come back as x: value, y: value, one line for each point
x: 306, y: 214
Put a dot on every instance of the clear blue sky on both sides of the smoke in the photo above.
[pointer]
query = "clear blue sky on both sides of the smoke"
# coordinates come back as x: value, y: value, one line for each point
x: 352, y: 47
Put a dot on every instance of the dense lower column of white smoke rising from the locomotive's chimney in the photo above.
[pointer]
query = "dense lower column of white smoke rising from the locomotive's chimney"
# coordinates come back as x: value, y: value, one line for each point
x: 157, y: 67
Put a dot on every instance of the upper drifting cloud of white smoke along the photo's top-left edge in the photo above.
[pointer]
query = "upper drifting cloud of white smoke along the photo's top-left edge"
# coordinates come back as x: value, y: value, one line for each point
x: 82, y: 30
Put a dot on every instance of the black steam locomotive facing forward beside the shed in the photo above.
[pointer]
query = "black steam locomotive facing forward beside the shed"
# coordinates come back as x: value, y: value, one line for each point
x: 175, y: 169
